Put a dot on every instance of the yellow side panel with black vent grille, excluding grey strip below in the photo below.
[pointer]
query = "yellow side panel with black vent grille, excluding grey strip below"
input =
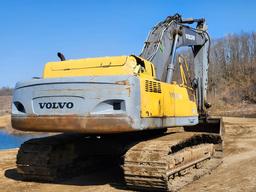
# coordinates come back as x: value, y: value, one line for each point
x: 159, y: 99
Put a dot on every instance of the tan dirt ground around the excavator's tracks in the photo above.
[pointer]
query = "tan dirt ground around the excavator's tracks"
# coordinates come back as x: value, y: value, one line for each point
x: 237, y: 172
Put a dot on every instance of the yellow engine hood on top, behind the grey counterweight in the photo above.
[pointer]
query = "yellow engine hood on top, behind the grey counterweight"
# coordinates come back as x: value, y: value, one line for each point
x: 101, y: 66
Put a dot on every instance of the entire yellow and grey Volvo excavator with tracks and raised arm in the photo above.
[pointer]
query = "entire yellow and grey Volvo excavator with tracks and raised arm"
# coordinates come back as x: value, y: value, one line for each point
x: 124, y: 109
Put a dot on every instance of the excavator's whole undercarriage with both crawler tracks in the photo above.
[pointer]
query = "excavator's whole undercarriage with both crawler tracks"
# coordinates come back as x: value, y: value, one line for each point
x: 153, y: 160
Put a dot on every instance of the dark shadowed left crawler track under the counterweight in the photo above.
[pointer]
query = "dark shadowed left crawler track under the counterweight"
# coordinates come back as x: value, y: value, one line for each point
x: 62, y: 156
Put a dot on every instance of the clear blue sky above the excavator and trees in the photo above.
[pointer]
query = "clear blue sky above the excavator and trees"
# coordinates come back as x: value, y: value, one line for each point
x: 33, y: 31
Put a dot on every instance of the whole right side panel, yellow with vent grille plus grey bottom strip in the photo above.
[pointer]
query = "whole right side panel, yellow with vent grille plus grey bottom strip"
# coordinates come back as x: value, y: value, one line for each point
x: 165, y: 105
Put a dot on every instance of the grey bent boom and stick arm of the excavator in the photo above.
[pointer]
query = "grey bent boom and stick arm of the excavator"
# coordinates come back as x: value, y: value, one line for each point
x: 163, y: 41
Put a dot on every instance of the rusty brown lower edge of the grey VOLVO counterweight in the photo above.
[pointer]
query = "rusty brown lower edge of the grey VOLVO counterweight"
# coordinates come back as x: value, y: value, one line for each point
x: 100, y: 124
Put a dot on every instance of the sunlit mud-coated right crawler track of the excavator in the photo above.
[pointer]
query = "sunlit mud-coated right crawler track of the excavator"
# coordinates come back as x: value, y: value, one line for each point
x: 172, y: 161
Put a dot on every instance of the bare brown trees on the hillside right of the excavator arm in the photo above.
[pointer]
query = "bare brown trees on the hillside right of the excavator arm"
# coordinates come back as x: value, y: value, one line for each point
x: 233, y: 68
